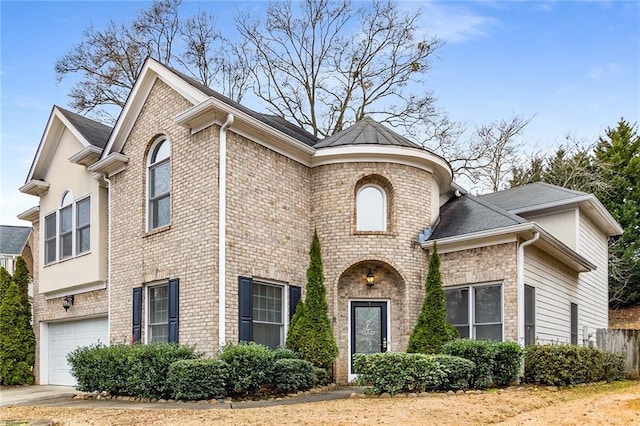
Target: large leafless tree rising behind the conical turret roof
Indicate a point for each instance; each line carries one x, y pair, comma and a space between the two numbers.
326, 64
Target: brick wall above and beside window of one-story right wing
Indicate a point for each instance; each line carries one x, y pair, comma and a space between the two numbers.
491, 264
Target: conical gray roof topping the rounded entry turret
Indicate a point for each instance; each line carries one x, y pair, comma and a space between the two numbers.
366, 132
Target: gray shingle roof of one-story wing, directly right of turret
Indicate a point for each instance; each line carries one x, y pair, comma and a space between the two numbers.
468, 214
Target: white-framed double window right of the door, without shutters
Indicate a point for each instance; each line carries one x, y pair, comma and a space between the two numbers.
476, 311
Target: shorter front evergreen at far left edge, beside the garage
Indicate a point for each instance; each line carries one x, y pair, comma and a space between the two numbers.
16, 334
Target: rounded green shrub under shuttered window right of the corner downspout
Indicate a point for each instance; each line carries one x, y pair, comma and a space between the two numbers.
250, 366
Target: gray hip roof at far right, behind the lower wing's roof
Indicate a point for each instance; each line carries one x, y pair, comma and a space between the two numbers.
531, 195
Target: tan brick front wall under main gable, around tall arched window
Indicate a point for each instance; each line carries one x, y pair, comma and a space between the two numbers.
187, 248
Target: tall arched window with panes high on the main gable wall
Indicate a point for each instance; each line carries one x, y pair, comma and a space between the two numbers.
159, 194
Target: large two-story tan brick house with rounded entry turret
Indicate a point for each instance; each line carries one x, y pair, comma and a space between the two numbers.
201, 213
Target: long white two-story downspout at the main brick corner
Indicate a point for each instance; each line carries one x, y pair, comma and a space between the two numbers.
222, 229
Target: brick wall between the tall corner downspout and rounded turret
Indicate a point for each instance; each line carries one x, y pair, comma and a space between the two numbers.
268, 222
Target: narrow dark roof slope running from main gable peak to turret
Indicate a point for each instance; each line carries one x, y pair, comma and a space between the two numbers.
278, 123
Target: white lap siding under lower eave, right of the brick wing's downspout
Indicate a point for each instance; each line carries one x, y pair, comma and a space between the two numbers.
556, 288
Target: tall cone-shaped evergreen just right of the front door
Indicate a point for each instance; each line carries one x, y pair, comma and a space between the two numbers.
431, 332
